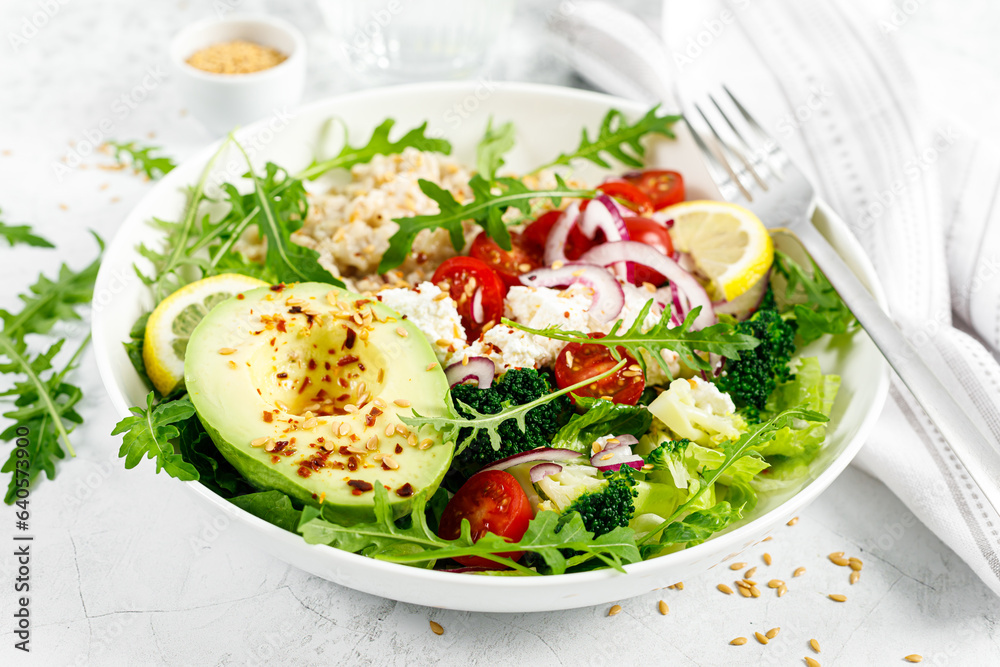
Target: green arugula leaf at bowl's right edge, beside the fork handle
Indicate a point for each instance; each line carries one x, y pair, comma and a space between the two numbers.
823, 311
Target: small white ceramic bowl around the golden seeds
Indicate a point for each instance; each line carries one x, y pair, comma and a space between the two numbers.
224, 101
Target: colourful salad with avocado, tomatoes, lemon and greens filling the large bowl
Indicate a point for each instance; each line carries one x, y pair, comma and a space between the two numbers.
465, 368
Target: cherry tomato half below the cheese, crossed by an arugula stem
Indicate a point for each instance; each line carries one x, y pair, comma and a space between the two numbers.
579, 361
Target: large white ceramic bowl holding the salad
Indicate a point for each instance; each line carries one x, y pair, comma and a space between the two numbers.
548, 120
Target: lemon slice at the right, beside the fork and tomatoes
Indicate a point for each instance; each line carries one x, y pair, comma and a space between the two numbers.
728, 243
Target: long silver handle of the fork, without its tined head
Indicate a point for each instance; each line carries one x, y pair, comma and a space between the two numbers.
979, 455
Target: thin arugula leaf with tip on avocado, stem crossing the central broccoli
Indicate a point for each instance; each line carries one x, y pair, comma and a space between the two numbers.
452, 422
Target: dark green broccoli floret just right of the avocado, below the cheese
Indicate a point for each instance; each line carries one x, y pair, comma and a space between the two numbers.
516, 387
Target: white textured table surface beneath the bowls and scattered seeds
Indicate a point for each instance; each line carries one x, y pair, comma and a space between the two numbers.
128, 569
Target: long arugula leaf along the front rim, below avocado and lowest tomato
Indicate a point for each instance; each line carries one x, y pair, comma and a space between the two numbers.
547, 534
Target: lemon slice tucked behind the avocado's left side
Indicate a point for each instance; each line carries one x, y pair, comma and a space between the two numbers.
170, 325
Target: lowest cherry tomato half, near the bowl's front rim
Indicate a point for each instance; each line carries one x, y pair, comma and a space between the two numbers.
493, 502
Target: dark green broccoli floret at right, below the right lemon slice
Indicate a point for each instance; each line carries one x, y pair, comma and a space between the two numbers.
750, 379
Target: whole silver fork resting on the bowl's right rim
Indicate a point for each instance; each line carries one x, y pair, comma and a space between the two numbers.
752, 170
